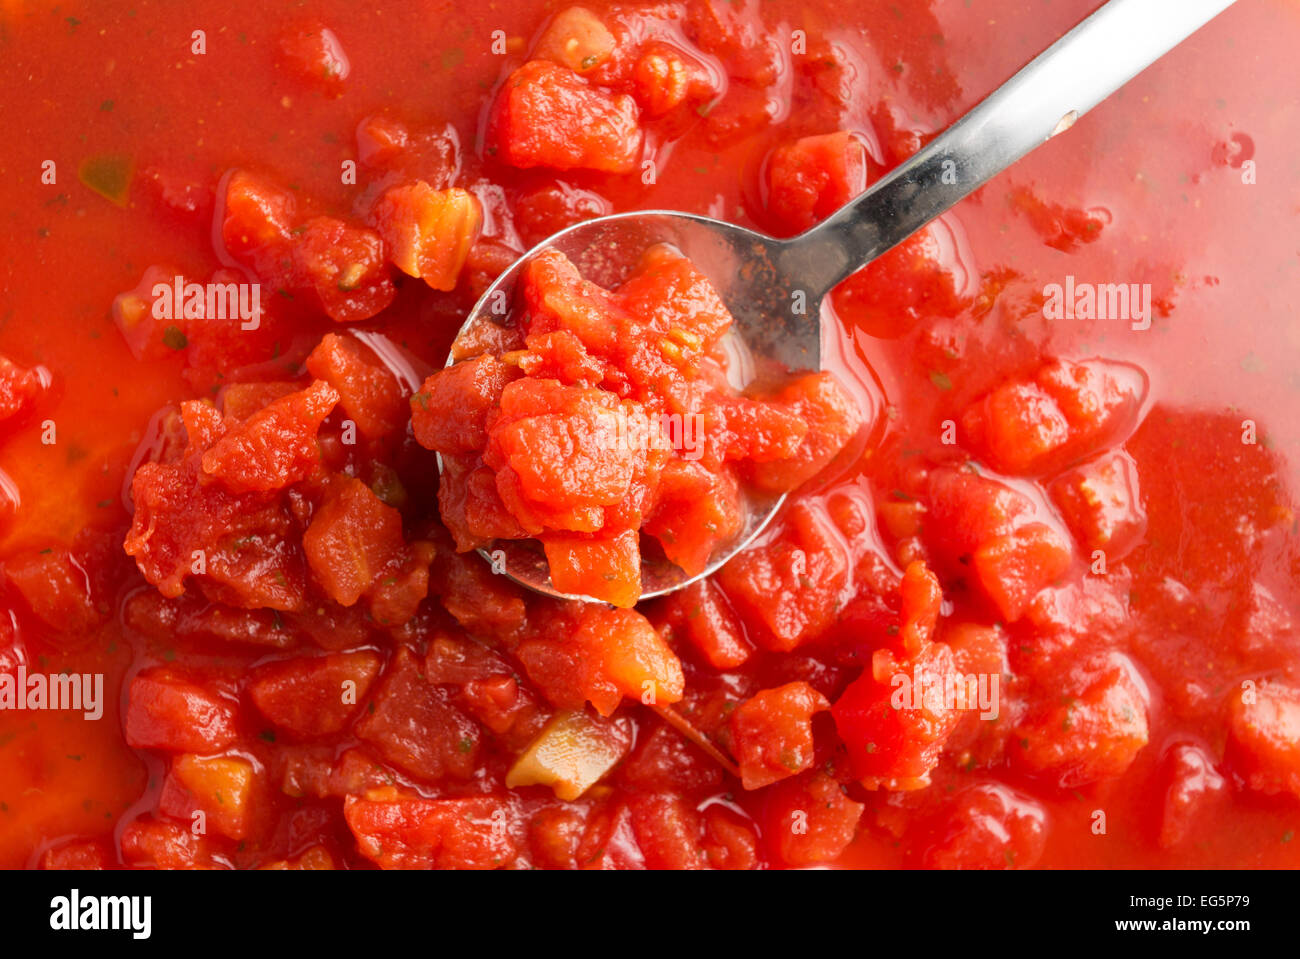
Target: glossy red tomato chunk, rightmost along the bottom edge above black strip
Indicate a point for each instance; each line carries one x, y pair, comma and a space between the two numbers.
990, 827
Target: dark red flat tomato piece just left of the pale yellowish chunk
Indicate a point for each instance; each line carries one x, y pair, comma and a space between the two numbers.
413, 726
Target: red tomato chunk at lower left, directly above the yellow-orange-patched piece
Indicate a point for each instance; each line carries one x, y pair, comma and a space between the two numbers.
167, 711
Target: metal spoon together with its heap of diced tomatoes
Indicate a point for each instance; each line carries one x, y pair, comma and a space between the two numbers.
629, 405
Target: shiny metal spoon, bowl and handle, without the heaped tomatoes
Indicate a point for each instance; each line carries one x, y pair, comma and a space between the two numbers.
774, 288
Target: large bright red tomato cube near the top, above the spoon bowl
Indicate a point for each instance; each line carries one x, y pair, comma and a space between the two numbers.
549, 116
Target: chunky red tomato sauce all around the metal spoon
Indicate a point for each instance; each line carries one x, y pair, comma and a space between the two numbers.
1085, 523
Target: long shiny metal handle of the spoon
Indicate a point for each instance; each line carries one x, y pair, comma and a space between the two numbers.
1063, 84
